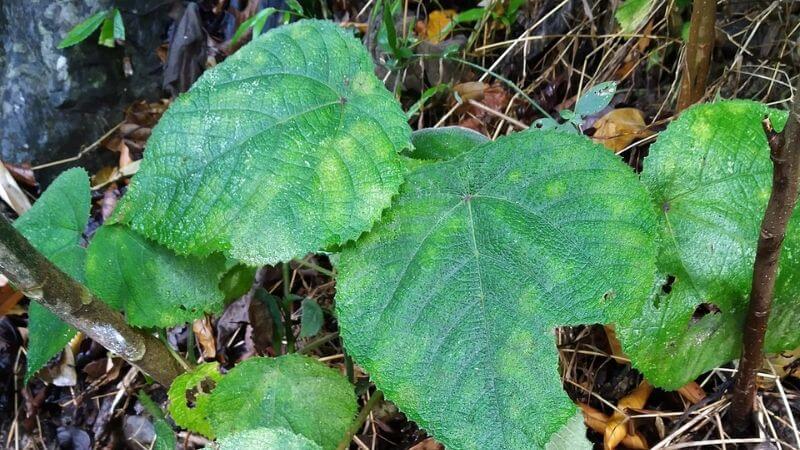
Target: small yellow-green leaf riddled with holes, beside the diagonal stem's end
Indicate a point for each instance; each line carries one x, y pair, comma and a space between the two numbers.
189, 398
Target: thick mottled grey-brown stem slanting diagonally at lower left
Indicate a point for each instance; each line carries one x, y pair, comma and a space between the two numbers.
40, 280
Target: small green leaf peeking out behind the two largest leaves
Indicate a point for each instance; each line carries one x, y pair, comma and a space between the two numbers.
444, 143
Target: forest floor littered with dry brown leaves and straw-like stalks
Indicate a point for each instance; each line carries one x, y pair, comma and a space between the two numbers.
547, 50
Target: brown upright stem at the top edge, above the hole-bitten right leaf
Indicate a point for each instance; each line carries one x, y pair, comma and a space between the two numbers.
697, 62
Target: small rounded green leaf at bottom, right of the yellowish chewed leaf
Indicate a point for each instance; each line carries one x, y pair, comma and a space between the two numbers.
293, 392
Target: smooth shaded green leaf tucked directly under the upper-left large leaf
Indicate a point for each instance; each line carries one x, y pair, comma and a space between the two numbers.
154, 286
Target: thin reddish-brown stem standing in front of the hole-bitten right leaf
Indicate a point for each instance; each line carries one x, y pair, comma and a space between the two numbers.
785, 154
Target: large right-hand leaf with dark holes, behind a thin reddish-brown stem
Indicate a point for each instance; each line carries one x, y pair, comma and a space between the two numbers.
710, 177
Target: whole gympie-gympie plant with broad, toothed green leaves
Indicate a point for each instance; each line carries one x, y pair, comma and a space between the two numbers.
457, 256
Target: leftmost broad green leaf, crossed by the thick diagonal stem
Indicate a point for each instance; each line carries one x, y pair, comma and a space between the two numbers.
54, 226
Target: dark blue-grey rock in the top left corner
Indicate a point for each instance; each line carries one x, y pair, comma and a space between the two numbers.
53, 101
